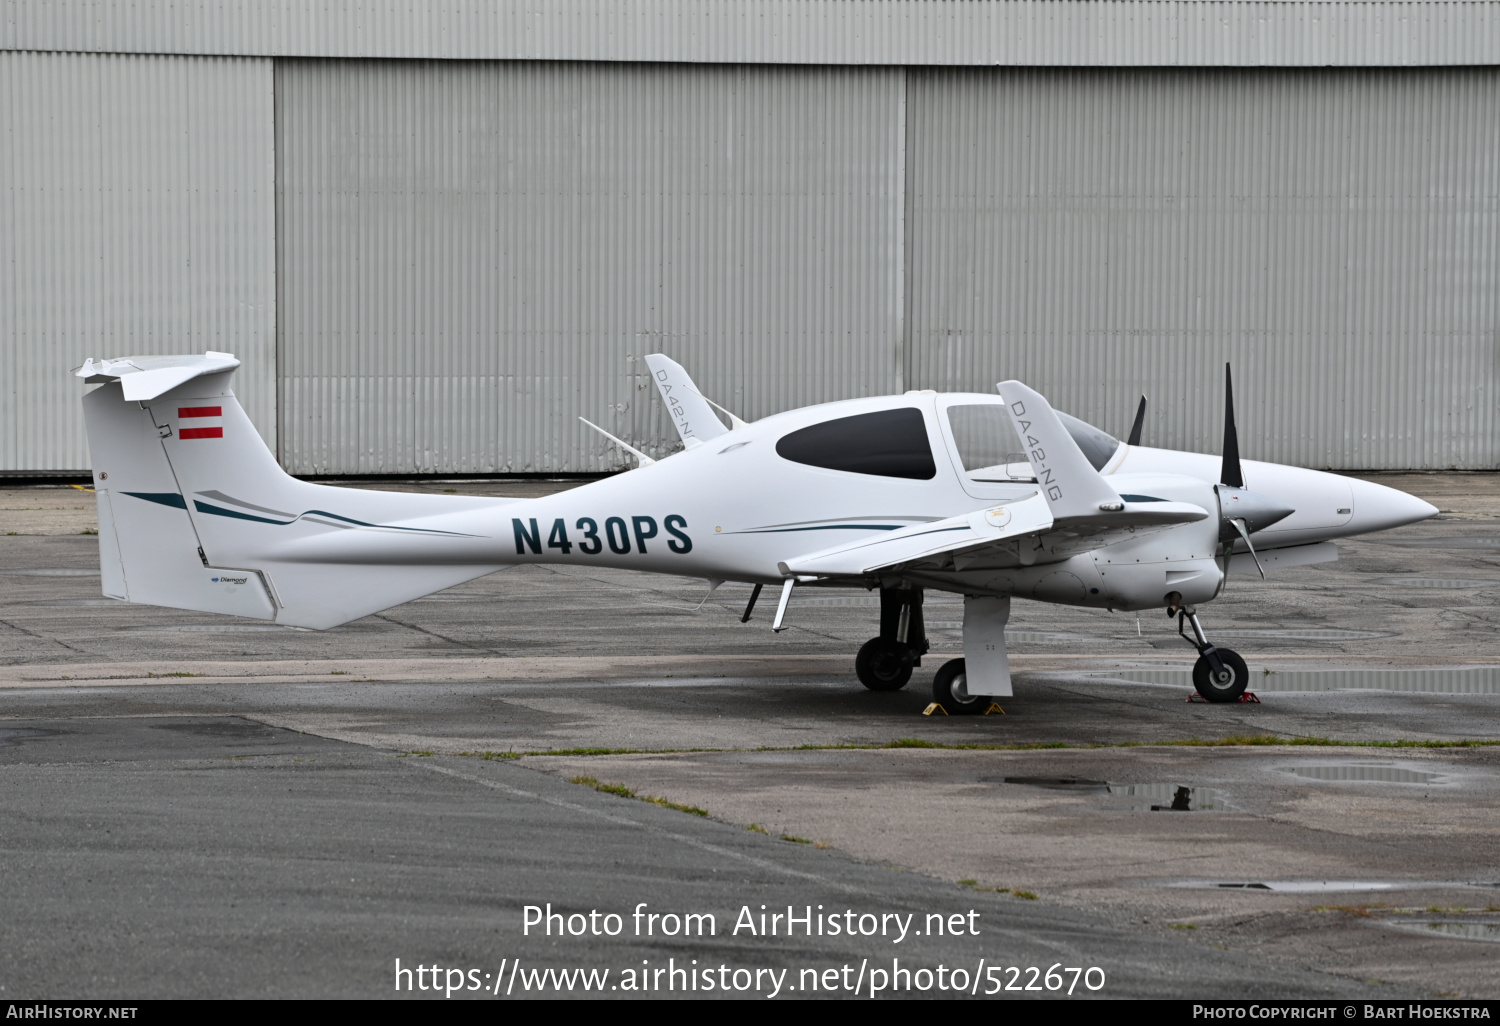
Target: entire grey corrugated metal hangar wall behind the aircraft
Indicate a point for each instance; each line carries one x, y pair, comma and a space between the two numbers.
436, 266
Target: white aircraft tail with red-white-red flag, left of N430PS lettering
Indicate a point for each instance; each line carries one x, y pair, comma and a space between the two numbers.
196, 514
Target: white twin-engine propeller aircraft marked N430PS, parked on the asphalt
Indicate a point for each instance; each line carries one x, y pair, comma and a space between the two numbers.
988, 497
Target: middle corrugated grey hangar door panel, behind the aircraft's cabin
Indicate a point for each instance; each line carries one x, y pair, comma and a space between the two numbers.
475, 254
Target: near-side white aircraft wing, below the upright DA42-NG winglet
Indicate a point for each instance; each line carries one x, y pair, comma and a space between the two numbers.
1016, 535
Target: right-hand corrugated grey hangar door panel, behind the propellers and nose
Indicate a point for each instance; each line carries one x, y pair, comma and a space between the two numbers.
1105, 235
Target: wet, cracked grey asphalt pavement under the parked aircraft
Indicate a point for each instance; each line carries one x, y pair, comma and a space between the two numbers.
197, 806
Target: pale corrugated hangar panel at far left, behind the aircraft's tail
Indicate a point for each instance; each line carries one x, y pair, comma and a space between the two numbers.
136, 220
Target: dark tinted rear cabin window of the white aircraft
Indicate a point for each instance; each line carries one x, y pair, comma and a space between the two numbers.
892, 443
